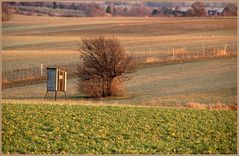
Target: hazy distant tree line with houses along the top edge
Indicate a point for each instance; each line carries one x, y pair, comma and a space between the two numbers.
144, 9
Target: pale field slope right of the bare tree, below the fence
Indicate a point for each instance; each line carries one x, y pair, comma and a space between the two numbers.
203, 82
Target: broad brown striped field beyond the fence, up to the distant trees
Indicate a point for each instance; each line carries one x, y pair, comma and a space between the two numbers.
35, 36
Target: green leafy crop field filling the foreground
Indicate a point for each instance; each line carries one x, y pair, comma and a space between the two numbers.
44, 128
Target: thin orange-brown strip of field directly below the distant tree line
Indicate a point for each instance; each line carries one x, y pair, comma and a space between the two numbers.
84, 20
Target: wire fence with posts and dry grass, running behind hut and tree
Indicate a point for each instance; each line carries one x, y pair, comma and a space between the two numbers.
35, 73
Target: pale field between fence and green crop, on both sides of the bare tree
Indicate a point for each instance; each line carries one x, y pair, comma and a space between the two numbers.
208, 82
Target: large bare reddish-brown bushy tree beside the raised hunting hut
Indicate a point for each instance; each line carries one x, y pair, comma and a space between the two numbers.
104, 64
